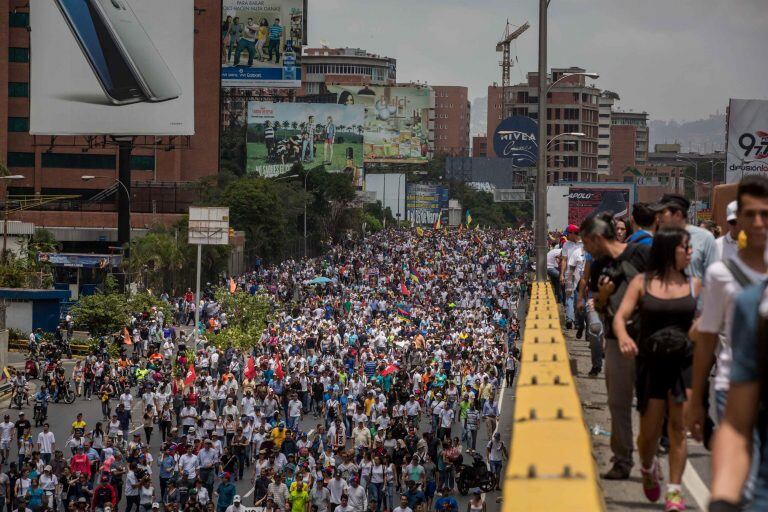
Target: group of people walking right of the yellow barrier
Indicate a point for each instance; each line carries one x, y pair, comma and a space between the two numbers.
674, 316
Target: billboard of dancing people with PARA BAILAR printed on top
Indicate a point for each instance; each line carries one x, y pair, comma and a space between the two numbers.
261, 43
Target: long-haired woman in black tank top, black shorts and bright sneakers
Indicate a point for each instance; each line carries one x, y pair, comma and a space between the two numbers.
666, 298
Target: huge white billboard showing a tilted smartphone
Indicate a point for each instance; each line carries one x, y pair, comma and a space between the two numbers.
112, 67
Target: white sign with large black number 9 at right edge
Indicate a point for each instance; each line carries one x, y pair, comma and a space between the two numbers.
747, 139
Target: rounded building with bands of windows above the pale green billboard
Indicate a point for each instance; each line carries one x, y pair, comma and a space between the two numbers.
321, 66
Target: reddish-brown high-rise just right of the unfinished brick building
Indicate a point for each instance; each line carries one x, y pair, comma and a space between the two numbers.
629, 142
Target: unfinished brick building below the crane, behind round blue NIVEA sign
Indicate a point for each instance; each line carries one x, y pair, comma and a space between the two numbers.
573, 106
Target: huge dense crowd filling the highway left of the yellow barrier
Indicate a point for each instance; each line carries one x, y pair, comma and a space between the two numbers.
381, 362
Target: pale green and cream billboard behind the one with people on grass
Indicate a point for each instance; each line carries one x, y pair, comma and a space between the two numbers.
396, 128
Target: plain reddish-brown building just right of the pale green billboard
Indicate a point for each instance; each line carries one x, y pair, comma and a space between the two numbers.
452, 113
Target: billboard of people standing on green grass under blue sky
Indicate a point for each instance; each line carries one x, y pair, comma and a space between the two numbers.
280, 135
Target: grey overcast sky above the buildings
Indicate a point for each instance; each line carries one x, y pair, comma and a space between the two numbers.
675, 59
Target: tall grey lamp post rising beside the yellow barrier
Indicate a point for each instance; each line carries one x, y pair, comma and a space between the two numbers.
540, 227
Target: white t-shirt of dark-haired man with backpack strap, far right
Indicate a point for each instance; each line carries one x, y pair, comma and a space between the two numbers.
718, 294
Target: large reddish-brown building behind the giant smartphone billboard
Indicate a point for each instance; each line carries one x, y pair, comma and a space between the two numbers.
161, 171
